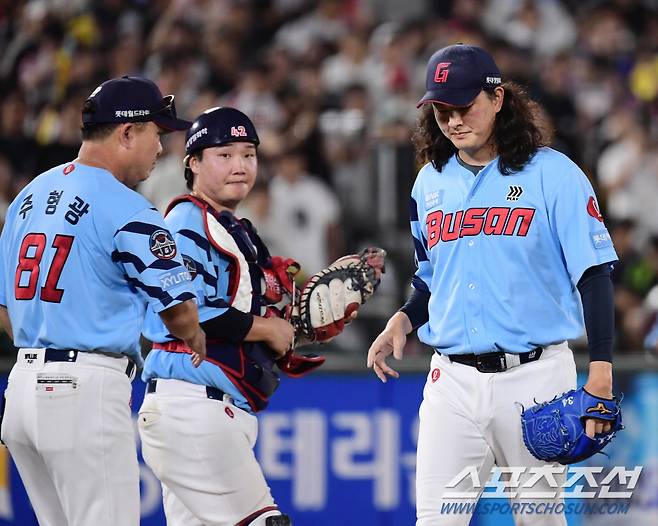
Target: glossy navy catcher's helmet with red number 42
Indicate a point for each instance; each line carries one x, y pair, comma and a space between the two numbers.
217, 126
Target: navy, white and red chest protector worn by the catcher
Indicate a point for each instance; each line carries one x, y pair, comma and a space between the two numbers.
247, 364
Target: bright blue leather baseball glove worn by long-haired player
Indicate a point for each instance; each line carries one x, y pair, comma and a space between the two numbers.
554, 431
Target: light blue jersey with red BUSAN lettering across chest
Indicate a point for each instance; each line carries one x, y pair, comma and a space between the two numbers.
501, 255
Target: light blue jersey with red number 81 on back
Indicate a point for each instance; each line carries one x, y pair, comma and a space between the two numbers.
81, 257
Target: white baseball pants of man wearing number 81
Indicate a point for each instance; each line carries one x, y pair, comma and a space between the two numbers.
69, 429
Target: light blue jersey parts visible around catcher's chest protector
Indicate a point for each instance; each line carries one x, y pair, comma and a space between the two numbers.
210, 278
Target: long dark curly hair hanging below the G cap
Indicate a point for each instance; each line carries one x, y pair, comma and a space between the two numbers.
520, 129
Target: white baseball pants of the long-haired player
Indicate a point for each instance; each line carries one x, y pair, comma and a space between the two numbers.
469, 418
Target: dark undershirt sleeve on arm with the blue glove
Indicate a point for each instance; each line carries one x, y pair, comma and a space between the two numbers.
597, 294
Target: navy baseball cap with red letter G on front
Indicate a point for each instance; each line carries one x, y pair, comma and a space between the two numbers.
457, 74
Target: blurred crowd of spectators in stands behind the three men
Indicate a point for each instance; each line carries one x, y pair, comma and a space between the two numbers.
331, 86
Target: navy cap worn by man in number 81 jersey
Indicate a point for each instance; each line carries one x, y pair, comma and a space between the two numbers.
132, 99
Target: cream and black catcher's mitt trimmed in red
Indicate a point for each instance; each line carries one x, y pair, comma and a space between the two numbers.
332, 296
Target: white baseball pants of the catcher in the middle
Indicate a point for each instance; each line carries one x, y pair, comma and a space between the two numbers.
202, 452
